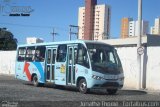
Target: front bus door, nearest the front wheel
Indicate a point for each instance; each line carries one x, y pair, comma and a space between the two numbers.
72, 54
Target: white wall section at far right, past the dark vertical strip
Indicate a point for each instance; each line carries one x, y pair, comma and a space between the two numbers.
153, 68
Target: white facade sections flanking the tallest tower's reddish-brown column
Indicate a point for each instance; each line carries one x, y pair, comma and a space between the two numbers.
102, 16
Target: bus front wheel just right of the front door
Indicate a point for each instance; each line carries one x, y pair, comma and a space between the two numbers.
82, 86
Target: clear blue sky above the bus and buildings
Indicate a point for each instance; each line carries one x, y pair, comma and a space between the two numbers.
59, 14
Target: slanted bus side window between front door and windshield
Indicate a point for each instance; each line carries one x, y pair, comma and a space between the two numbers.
82, 56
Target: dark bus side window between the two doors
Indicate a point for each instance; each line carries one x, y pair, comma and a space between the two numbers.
61, 55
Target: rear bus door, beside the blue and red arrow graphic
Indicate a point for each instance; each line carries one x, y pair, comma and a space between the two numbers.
50, 64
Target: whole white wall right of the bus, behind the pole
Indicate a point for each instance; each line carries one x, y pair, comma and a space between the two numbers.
150, 67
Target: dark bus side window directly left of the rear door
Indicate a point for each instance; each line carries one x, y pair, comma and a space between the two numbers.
40, 54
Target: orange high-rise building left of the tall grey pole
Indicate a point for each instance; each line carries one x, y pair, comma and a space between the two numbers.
125, 27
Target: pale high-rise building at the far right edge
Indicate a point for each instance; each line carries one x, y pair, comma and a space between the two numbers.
156, 28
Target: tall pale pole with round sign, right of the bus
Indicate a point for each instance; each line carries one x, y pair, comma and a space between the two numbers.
139, 40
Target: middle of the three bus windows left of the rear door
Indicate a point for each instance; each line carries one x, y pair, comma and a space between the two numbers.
30, 54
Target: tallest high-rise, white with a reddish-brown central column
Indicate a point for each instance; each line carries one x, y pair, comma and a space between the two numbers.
94, 21
